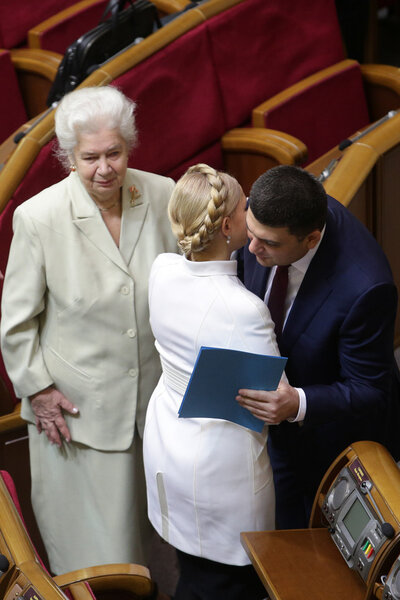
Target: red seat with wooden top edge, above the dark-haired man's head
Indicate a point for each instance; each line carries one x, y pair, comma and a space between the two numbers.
322, 110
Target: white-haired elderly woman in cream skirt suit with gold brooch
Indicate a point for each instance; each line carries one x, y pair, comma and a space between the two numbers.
76, 338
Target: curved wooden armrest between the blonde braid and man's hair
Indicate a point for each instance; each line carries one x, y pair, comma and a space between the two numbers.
248, 152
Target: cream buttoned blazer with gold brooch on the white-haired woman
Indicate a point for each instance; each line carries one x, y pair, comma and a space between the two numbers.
74, 306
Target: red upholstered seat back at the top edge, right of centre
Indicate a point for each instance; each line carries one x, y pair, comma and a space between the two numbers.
260, 47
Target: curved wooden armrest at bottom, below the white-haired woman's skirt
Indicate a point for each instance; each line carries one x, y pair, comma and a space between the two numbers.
129, 577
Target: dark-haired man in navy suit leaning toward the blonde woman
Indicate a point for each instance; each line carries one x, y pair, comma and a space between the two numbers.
339, 315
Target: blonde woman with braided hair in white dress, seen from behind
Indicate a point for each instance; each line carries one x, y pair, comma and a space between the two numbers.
207, 479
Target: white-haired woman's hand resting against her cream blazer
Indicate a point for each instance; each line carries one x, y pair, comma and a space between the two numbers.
48, 406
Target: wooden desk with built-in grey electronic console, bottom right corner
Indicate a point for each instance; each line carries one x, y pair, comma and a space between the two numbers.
352, 547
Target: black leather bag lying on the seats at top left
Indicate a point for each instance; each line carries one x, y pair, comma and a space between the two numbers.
123, 28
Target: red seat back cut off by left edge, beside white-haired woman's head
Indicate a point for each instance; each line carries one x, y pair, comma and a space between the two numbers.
12, 108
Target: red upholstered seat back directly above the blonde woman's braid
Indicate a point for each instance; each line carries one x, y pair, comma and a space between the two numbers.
179, 114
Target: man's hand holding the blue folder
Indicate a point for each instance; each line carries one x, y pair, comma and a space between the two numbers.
271, 407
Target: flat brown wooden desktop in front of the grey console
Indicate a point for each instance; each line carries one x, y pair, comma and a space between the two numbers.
302, 564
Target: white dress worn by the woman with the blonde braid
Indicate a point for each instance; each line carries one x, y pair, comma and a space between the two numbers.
207, 479
